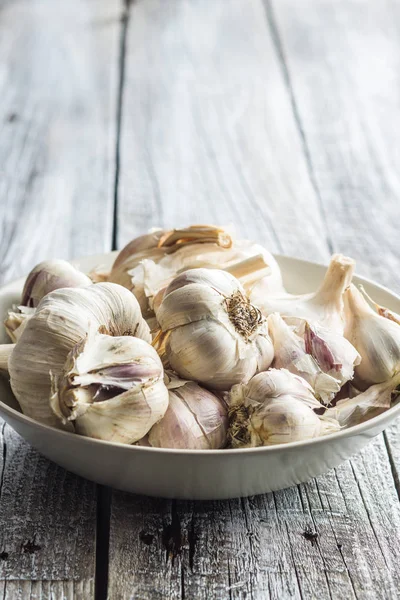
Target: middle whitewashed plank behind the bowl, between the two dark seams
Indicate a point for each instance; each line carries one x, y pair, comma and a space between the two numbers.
207, 129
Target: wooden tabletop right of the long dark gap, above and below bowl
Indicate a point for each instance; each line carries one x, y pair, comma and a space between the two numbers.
255, 113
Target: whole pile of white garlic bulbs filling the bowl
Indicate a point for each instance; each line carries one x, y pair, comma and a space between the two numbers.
192, 342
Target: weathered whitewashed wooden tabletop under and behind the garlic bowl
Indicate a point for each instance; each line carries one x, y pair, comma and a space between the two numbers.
280, 116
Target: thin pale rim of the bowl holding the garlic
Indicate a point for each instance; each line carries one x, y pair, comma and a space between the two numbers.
388, 415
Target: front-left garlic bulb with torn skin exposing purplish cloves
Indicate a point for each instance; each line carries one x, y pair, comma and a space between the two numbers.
111, 388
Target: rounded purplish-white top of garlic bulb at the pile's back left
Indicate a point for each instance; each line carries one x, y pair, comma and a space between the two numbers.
48, 276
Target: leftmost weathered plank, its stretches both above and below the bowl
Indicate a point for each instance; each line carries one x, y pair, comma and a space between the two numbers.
58, 84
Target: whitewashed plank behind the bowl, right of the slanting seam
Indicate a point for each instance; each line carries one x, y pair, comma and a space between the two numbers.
346, 86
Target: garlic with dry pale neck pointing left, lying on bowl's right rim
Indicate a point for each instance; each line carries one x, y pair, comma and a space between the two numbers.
362, 407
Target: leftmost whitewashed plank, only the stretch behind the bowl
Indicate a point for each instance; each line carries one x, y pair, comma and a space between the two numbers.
58, 86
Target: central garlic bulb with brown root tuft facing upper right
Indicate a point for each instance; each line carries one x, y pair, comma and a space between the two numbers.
212, 333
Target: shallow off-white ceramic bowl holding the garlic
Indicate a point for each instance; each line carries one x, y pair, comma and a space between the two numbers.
196, 474
